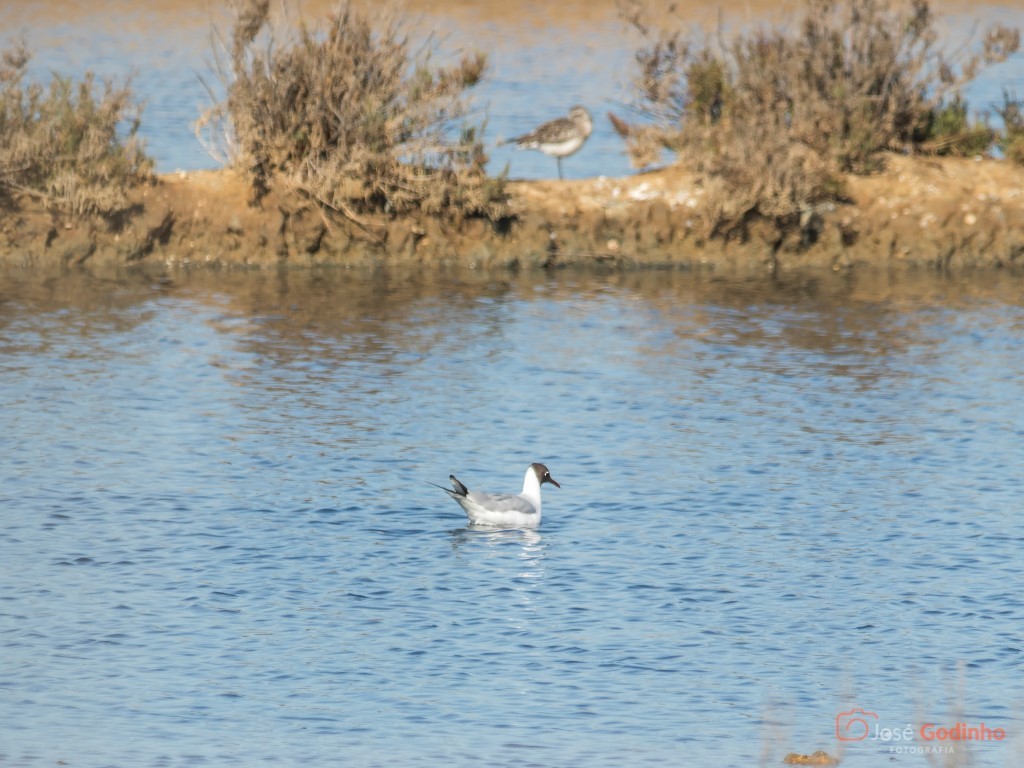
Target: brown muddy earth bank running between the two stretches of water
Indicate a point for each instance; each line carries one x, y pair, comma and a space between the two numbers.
938, 214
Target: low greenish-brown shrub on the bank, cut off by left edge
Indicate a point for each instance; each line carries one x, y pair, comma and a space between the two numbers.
66, 145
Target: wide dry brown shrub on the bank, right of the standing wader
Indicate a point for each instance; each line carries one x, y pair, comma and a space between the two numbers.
772, 118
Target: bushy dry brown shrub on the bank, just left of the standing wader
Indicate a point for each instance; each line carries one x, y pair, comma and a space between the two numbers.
346, 115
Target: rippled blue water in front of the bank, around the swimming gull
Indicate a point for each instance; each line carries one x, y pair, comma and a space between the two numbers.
780, 502
